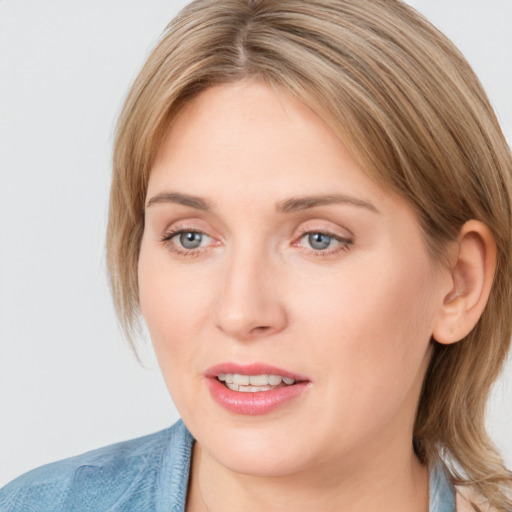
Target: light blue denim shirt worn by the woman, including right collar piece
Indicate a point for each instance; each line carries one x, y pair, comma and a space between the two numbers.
143, 475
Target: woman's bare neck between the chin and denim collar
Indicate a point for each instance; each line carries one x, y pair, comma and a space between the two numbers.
393, 481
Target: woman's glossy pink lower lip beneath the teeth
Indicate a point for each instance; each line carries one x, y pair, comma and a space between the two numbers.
252, 404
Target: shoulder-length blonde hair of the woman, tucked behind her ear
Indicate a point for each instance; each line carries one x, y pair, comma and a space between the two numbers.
411, 111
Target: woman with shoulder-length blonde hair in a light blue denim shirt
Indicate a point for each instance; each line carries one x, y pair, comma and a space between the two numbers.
311, 209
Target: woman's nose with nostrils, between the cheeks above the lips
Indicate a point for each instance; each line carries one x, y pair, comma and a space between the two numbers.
250, 305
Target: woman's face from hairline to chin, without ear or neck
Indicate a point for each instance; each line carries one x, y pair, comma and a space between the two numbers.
268, 252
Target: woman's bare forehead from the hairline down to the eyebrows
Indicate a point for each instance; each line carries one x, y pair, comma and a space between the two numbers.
248, 133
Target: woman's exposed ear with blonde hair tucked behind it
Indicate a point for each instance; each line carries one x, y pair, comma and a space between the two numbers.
472, 268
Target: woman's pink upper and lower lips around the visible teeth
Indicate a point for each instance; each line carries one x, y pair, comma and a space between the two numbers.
260, 402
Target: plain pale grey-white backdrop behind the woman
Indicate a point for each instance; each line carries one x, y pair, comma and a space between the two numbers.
68, 381
